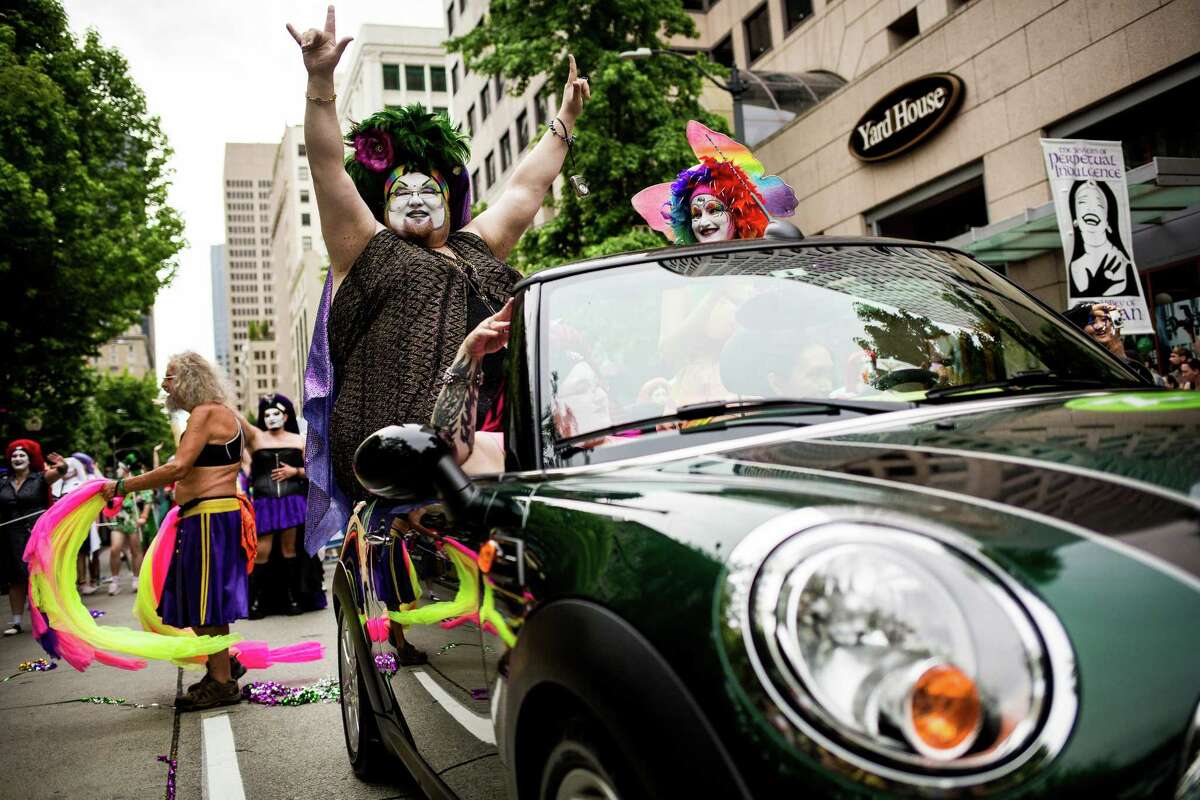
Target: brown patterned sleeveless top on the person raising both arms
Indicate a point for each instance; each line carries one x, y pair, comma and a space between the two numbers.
395, 324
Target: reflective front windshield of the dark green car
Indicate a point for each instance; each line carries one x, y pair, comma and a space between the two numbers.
839, 323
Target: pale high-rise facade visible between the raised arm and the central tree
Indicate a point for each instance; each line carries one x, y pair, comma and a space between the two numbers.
502, 127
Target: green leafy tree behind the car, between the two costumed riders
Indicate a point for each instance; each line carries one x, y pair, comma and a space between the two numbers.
633, 131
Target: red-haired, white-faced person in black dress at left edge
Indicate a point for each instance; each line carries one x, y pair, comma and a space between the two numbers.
25, 496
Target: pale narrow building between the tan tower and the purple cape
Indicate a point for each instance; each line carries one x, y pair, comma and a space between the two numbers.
299, 258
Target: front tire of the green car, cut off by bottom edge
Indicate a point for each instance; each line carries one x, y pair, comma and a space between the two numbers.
585, 766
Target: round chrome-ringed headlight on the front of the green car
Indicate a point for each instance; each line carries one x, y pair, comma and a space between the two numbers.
769, 611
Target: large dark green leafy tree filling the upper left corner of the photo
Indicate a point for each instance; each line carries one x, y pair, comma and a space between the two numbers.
87, 238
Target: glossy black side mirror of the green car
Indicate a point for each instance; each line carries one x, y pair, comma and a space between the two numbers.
411, 464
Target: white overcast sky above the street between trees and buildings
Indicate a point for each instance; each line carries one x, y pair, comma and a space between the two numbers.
218, 71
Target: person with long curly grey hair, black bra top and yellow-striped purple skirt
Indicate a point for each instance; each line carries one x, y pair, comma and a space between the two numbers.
206, 585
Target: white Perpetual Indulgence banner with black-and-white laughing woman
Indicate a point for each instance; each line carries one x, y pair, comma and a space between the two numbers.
1091, 202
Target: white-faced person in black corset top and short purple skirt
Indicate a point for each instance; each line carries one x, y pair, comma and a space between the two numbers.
281, 490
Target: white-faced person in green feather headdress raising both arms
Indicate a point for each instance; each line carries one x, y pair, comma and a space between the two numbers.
411, 272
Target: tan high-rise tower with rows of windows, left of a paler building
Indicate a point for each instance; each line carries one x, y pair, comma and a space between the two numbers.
254, 288
